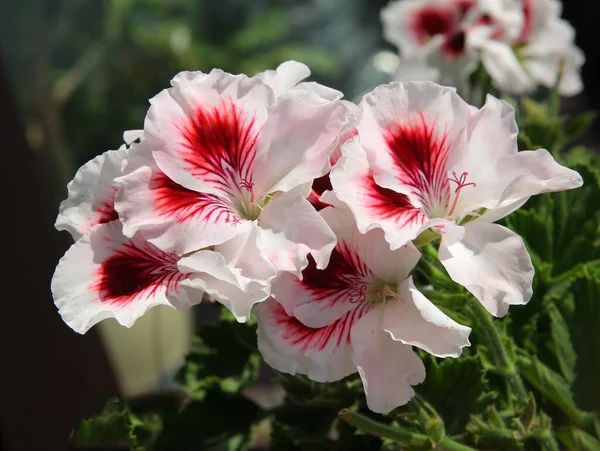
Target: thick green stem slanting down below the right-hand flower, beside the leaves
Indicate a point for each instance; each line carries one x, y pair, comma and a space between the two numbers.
498, 351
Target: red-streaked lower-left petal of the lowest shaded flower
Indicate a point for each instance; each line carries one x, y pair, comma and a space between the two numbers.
323, 354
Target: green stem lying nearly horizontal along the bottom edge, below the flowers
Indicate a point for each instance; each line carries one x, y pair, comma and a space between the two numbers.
397, 433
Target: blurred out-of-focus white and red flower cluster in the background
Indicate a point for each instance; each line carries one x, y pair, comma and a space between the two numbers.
521, 44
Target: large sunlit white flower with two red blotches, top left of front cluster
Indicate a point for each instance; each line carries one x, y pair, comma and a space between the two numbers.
229, 156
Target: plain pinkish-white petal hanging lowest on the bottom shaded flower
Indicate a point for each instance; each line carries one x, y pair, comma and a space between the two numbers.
388, 368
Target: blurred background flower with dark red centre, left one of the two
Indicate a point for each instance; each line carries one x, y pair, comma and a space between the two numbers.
432, 36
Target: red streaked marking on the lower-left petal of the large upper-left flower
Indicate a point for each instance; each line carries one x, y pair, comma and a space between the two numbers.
182, 204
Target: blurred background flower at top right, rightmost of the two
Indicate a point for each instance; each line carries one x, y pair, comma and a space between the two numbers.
544, 43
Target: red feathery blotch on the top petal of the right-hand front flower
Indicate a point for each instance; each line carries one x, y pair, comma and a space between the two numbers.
420, 158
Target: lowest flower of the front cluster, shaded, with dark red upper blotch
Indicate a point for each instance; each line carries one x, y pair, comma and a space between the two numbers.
361, 313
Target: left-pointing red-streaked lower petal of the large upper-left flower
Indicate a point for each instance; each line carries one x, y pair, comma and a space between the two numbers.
172, 217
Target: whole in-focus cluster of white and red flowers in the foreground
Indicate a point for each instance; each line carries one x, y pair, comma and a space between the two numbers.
272, 191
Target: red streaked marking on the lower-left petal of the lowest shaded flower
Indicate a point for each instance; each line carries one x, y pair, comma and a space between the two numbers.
306, 338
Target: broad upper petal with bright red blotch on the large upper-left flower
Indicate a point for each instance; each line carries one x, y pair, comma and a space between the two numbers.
203, 131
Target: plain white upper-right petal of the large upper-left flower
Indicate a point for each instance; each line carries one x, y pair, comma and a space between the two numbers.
297, 140
